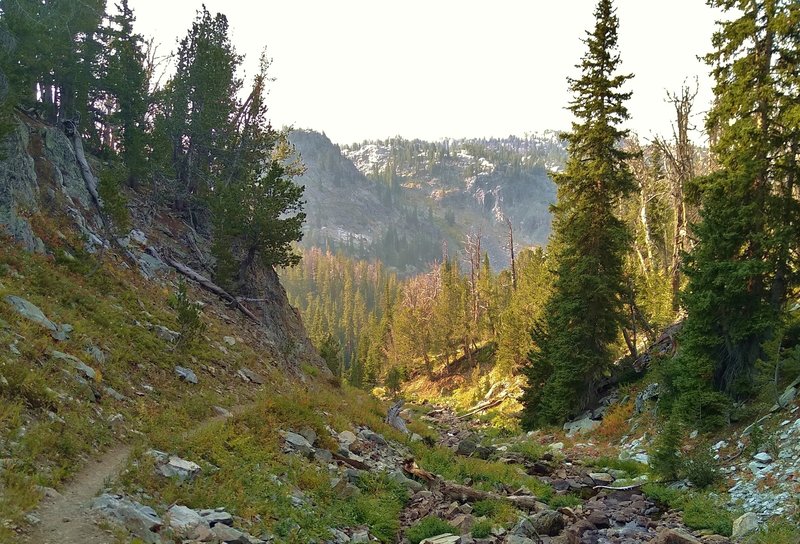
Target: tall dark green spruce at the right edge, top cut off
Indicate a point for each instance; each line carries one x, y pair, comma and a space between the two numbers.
745, 262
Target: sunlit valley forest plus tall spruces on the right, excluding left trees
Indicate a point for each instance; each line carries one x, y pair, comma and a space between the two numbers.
646, 233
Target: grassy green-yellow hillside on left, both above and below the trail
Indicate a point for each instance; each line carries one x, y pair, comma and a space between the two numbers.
50, 424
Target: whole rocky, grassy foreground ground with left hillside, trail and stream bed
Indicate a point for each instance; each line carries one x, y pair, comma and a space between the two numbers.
122, 421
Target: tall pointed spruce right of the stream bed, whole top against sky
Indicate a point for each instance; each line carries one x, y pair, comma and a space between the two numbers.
584, 314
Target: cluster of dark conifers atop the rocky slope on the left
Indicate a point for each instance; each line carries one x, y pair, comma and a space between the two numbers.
198, 142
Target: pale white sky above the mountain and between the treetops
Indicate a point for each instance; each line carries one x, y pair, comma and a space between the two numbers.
430, 69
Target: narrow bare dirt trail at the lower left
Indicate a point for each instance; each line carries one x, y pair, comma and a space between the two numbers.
66, 519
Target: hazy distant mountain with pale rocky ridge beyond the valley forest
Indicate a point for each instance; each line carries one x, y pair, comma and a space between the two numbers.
368, 195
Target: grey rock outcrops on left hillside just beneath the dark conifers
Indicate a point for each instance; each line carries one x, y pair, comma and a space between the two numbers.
39, 177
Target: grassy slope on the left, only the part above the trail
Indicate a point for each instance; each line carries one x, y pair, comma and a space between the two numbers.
49, 422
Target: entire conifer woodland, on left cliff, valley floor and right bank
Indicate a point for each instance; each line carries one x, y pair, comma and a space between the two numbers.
645, 233
